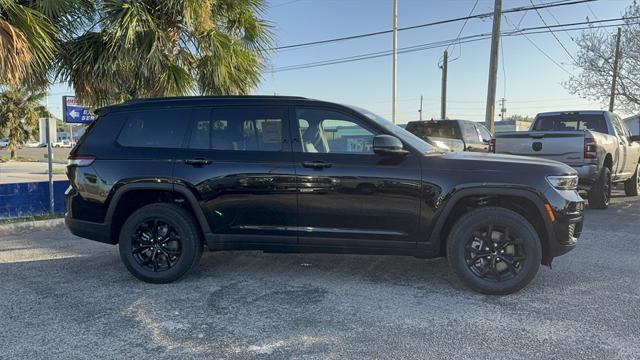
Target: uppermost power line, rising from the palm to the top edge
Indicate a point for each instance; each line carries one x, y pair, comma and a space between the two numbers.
440, 22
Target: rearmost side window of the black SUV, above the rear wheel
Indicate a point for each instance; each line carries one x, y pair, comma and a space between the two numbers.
162, 128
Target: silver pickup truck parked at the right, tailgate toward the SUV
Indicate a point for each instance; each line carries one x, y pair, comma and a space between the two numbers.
595, 143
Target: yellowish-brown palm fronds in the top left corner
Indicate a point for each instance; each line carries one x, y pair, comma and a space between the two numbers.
30, 35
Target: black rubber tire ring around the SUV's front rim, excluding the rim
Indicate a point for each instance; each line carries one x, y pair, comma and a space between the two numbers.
462, 232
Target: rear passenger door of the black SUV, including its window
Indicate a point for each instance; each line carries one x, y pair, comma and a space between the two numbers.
238, 161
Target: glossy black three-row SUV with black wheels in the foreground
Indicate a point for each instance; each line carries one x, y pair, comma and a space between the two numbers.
165, 177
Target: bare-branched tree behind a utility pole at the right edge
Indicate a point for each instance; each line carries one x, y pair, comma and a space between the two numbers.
595, 60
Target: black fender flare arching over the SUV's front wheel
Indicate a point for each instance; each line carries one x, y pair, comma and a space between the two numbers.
435, 237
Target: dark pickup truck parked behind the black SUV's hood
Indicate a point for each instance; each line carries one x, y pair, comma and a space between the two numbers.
453, 135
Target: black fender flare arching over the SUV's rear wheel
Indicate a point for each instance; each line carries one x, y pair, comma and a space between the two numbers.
174, 188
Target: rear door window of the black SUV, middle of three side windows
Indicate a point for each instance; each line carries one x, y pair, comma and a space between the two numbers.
238, 129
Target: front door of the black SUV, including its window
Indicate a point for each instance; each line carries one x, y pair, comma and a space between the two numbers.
348, 195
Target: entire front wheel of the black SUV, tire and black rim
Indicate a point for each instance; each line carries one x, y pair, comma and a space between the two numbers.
522, 249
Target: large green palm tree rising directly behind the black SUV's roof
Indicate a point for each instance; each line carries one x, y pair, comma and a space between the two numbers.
150, 48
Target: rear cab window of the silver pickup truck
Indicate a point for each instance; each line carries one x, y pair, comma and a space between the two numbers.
568, 122
